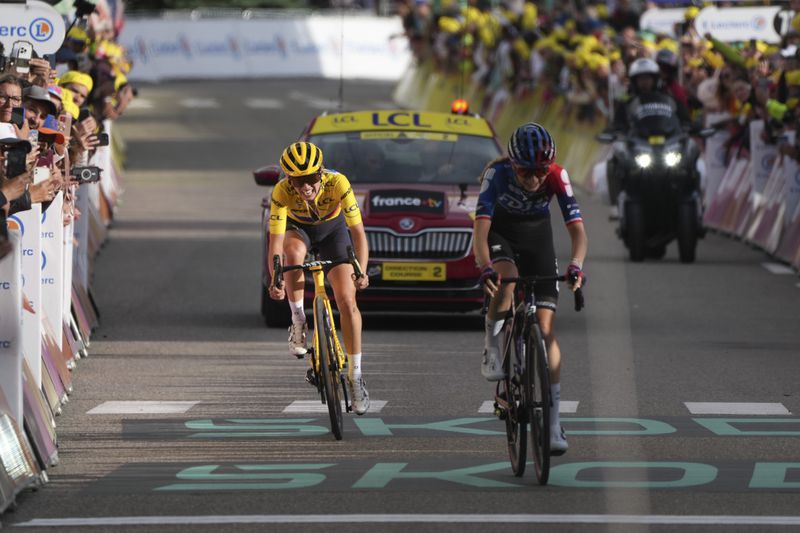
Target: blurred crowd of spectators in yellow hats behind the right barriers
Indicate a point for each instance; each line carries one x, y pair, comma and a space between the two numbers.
580, 51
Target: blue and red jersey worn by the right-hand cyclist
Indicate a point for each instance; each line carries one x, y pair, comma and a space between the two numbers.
499, 189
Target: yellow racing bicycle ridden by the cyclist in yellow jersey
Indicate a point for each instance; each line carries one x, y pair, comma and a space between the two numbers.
328, 359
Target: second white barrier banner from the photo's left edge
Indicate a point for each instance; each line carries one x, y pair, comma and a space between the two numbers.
28, 223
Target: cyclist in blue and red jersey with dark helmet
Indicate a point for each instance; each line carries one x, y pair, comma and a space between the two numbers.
512, 237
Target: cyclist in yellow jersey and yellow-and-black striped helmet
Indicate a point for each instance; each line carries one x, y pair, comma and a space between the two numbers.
314, 207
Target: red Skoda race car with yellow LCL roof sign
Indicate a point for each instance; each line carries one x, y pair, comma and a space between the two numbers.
415, 175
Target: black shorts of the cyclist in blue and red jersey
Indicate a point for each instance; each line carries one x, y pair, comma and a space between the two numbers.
529, 245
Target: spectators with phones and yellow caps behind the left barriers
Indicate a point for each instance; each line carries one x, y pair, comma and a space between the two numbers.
53, 110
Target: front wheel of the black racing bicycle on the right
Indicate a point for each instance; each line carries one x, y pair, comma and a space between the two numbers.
539, 407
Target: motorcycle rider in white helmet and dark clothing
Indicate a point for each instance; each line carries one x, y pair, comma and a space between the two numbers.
645, 100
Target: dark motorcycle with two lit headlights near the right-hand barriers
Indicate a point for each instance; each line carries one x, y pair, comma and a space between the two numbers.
659, 198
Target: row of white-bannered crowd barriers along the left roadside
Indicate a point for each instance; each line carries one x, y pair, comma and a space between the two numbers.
51, 263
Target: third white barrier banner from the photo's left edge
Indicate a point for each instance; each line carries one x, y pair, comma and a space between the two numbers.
52, 264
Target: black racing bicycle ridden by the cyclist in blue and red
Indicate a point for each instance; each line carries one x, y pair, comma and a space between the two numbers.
522, 397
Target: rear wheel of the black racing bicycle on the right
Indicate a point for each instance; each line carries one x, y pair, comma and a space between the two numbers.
517, 412
